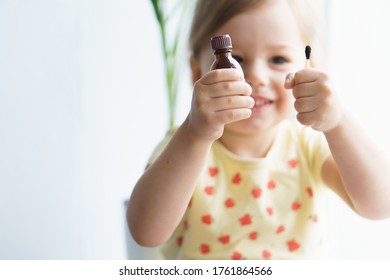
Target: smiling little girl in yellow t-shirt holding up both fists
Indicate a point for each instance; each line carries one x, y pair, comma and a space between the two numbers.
238, 179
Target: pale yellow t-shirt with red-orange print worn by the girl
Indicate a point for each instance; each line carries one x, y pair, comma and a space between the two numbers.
262, 208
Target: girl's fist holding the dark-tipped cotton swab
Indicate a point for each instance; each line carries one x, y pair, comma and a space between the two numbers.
315, 100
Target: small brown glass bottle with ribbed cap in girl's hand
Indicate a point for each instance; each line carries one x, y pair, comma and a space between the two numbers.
222, 48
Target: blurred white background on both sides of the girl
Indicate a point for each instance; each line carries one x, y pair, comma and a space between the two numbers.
83, 104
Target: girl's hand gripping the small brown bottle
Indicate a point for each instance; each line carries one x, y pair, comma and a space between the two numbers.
219, 97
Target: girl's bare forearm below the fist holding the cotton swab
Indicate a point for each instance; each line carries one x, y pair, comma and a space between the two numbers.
361, 166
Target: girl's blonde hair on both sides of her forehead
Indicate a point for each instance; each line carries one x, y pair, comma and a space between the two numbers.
209, 15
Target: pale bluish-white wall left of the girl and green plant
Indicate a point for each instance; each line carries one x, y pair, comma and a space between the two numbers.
82, 106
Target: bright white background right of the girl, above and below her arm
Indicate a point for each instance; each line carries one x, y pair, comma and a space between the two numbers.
359, 59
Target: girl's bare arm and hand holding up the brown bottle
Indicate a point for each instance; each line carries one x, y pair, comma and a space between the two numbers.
162, 194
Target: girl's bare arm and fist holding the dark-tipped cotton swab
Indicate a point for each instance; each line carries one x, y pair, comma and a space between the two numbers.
357, 171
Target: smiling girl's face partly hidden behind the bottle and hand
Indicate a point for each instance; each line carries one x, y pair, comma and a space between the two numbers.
267, 42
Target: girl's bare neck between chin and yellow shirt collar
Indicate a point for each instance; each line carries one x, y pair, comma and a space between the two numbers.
253, 146
